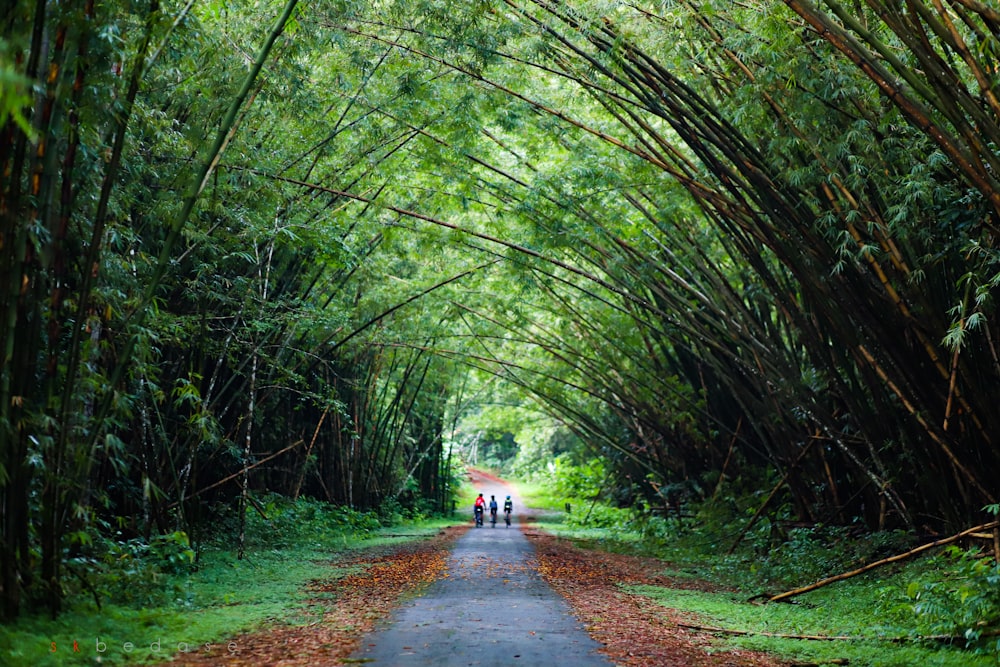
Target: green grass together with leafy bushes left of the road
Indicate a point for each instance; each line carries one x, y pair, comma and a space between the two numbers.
141, 601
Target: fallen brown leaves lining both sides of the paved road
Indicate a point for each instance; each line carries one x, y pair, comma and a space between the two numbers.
634, 630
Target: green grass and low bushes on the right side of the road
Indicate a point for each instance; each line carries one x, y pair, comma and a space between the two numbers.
938, 609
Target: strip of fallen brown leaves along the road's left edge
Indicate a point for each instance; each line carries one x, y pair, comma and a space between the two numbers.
359, 601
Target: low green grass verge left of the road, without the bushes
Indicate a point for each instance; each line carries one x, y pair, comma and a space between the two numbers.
212, 605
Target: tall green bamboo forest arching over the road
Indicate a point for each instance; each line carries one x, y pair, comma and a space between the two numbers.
712, 268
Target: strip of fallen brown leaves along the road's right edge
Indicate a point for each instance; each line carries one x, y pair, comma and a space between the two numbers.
636, 631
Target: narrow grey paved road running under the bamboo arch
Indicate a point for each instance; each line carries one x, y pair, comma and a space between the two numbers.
492, 610
